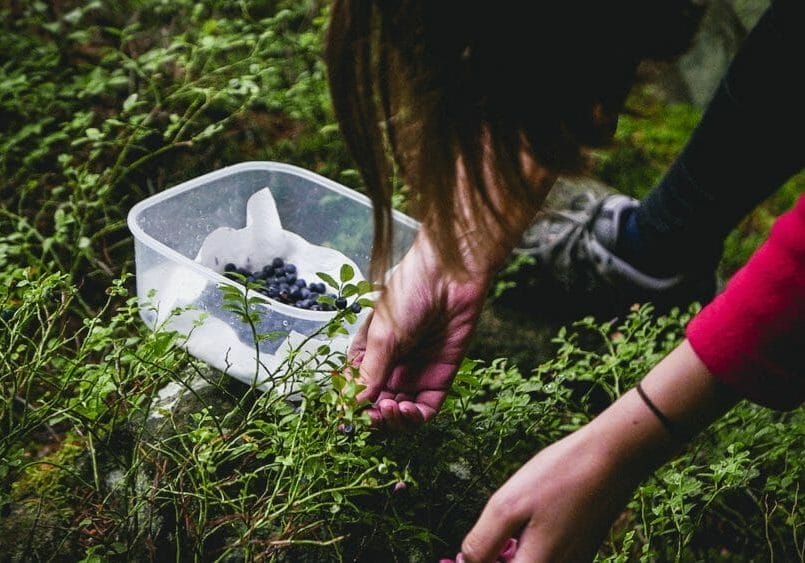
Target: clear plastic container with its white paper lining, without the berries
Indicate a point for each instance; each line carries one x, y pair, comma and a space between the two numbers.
248, 214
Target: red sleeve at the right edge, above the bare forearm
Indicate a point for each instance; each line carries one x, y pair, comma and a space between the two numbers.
752, 336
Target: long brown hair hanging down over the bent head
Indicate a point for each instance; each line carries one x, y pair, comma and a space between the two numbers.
419, 85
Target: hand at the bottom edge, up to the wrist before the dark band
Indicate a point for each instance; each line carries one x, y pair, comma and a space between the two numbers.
560, 504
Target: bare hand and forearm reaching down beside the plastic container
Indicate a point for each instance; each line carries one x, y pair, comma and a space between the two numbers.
409, 350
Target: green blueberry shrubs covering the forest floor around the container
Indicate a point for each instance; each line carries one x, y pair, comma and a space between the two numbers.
116, 445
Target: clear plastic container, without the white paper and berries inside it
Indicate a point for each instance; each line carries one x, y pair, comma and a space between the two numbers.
178, 293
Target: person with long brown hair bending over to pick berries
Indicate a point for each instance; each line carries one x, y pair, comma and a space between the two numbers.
479, 107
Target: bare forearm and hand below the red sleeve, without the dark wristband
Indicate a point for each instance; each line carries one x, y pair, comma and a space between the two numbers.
562, 503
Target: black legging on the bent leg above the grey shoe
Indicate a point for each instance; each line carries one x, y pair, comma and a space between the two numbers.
750, 140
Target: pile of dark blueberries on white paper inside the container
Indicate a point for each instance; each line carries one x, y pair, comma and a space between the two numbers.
279, 281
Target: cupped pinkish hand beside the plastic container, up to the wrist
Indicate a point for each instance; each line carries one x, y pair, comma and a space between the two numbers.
409, 350
